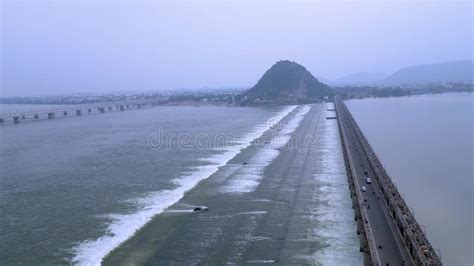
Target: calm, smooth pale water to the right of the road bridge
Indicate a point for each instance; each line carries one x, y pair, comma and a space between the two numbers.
426, 145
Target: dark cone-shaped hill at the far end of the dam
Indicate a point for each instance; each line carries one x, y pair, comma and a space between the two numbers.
286, 82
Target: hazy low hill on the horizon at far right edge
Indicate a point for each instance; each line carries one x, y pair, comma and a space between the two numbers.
455, 71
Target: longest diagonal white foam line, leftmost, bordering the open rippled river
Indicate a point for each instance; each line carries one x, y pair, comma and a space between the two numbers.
123, 226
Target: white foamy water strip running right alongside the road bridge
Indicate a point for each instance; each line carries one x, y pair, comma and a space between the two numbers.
336, 227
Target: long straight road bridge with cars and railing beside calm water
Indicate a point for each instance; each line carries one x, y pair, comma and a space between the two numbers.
389, 232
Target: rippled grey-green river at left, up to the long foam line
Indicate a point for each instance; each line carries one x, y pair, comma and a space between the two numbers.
69, 181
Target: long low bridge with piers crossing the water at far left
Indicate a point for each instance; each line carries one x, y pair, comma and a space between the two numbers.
77, 110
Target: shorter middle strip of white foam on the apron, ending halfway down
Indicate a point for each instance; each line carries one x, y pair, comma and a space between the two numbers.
249, 176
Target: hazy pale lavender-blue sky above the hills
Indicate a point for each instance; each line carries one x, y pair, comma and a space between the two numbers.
59, 47
